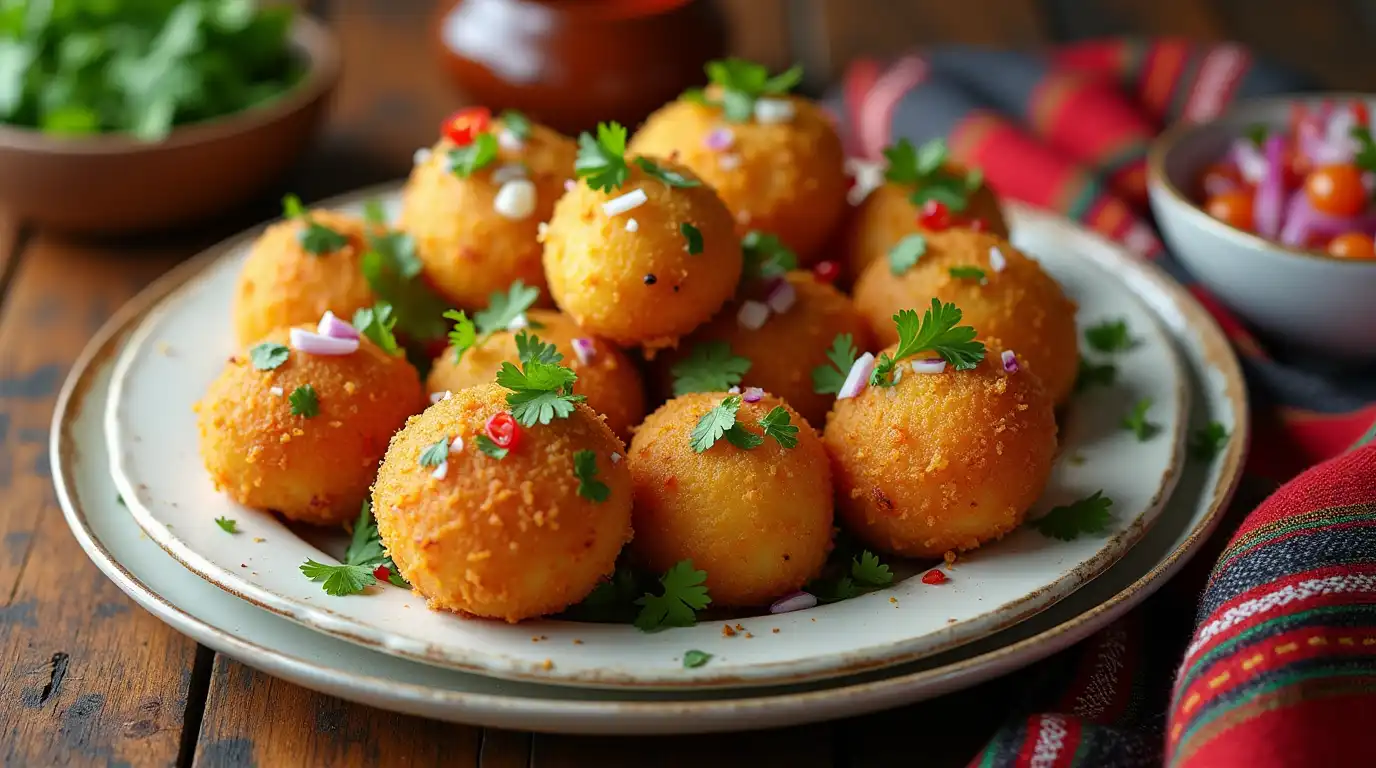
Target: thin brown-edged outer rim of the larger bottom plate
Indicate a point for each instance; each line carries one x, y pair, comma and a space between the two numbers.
1209, 339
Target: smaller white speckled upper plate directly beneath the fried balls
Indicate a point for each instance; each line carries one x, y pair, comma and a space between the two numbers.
181, 346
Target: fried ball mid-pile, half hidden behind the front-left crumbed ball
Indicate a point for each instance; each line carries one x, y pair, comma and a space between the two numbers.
609, 379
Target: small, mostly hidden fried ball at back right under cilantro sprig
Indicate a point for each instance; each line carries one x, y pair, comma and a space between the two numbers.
888, 217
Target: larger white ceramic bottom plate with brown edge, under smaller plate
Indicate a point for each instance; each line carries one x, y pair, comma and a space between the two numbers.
288, 650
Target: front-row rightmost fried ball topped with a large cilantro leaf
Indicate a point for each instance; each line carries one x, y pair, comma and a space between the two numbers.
942, 462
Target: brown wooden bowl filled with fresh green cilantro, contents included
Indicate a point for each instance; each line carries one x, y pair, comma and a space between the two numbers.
202, 103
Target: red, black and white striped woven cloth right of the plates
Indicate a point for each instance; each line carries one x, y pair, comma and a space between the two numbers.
1282, 665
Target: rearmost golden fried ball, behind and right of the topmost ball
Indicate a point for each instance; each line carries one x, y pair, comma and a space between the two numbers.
785, 178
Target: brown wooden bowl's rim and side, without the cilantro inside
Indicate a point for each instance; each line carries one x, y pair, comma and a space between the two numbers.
115, 184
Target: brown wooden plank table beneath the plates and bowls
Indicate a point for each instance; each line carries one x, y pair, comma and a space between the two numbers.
90, 679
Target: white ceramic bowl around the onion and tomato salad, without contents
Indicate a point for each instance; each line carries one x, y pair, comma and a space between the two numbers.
1302, 298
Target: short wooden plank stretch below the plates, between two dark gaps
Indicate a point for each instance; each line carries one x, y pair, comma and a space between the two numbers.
252, 719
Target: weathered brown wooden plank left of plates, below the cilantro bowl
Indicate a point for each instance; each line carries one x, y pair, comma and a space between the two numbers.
89, 678
